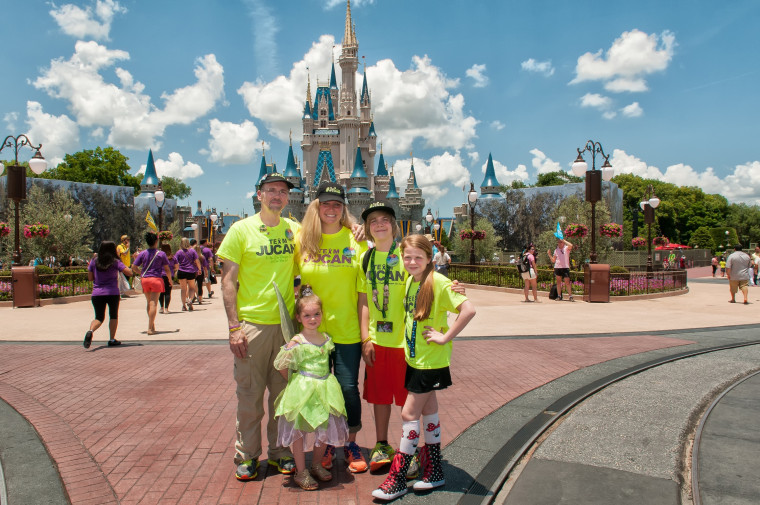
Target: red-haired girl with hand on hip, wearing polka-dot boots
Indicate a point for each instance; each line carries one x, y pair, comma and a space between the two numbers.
428, 339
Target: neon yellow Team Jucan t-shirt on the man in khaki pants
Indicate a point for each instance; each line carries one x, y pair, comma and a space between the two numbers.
264, 254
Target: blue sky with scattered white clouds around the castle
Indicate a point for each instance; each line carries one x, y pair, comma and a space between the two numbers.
668, 88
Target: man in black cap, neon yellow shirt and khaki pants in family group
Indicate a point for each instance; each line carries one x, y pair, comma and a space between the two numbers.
256, 251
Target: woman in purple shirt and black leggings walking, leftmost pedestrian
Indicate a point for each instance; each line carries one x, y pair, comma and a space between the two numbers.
103, 272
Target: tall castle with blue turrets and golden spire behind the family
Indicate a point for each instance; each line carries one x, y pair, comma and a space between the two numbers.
339, 145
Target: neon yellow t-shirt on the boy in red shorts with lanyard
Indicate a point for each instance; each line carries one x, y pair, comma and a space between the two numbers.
391, 326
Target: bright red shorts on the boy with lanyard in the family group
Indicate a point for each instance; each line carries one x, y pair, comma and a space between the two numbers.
384, 381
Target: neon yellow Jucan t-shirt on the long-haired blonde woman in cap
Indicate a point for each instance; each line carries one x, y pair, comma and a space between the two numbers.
335, 277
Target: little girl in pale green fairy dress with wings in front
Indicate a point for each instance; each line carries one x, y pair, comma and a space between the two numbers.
312, 401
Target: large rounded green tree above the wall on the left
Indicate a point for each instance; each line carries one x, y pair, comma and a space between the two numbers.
101, 166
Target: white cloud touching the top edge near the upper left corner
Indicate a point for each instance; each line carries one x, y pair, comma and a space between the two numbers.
84, 23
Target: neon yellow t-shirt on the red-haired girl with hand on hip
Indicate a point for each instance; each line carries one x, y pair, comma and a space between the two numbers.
430, 356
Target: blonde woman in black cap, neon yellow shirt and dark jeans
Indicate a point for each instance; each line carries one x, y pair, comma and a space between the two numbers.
327, 255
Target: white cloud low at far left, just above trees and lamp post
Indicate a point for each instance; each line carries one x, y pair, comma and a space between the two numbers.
58, 135
